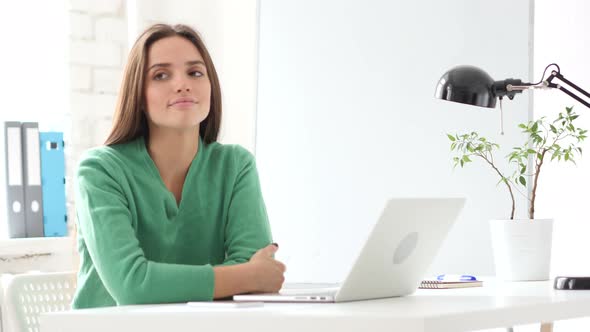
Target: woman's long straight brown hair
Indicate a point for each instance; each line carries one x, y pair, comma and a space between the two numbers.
129, 121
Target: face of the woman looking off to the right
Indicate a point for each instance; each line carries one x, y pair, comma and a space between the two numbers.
177, 87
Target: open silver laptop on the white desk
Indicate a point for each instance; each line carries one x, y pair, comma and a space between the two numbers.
392, 262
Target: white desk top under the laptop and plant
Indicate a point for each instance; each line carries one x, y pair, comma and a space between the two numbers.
494, 305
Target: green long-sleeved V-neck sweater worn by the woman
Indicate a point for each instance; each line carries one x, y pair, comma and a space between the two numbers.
137, 245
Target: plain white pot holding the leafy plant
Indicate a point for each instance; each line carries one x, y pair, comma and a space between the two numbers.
522, 248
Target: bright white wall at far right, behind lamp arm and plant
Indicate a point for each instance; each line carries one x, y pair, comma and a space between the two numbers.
561, 37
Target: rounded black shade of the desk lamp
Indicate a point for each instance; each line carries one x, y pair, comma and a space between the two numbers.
467, 85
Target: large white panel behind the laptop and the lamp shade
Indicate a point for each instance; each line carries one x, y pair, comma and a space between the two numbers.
347, 118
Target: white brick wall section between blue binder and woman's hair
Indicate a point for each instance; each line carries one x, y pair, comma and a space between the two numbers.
98, 48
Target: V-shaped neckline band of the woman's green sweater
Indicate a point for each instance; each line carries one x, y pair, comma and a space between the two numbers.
173, 208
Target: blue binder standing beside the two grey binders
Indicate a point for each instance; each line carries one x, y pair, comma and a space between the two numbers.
53, 183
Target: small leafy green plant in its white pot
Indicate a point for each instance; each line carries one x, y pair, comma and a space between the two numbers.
522, 248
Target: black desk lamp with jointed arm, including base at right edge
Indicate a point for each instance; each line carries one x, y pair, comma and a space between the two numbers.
473, 86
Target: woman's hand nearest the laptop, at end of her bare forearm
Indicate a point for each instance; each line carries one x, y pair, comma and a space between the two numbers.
268, 273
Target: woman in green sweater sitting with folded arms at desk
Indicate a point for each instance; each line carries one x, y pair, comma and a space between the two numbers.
165, 213
